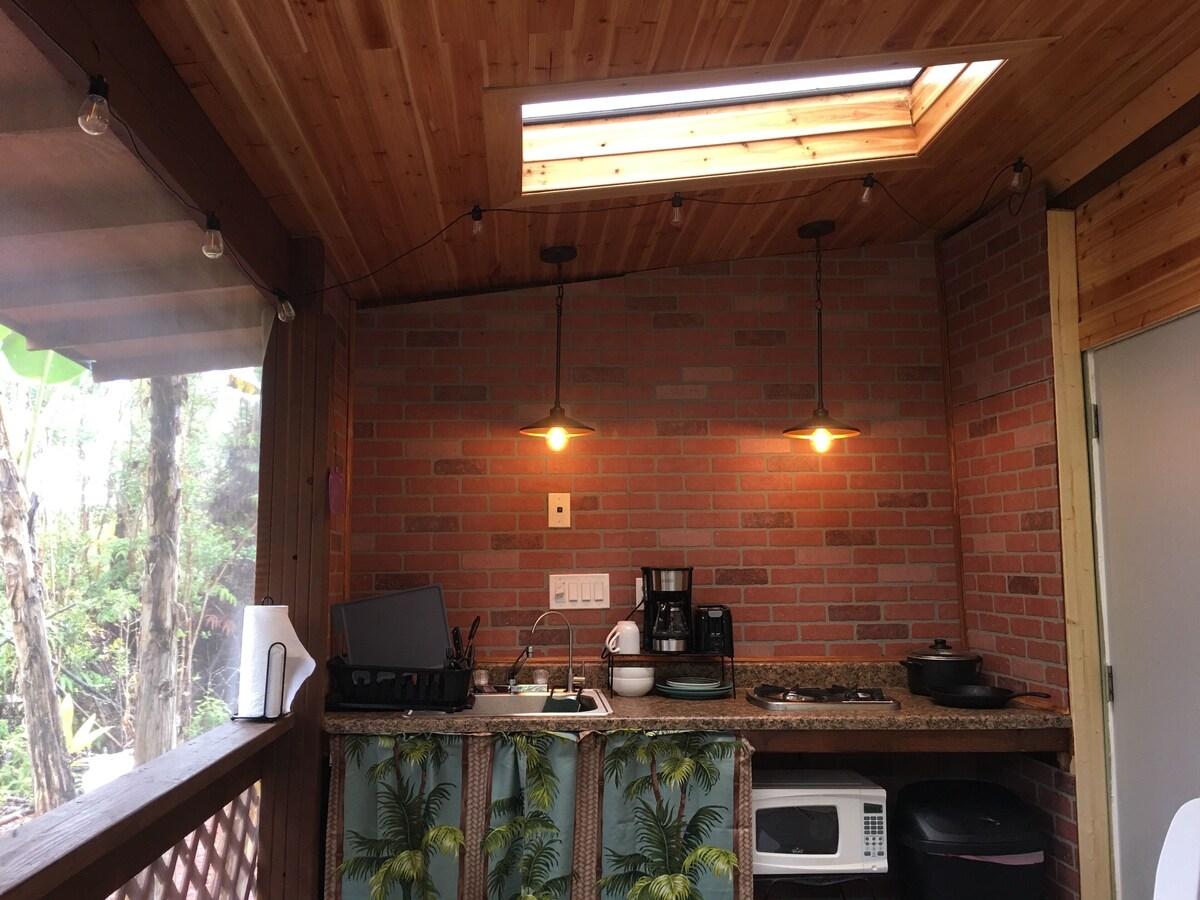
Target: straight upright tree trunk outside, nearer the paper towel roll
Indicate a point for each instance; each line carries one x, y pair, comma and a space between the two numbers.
155, 719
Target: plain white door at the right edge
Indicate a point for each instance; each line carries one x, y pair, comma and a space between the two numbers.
1148, 483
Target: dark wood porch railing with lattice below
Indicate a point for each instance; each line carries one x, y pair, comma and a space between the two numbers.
181, 813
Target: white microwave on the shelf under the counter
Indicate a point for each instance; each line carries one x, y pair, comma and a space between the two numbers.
819, 823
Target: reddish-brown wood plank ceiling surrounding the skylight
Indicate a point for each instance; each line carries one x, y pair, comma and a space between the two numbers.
362, 122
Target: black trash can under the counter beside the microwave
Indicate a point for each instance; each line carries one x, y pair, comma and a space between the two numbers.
968, 839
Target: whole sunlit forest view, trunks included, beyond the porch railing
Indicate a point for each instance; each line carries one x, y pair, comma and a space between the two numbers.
91, 464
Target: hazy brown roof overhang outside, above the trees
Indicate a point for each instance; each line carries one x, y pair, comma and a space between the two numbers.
98, 259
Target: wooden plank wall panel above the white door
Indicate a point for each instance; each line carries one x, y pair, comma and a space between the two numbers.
1139, 248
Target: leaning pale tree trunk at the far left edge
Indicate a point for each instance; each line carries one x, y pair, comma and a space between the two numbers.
23, 585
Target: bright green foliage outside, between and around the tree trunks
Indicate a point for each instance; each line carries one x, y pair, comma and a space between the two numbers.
89, 446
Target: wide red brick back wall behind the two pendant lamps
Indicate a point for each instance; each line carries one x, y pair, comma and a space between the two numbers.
689, 379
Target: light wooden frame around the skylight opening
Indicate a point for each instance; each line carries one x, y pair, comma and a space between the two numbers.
722, 146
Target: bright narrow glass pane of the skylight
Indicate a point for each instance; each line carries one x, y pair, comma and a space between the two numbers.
716, 95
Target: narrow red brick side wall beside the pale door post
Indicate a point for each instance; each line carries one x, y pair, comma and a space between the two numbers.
1004, 433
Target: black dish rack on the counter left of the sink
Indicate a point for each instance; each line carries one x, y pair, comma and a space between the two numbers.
387, 688
